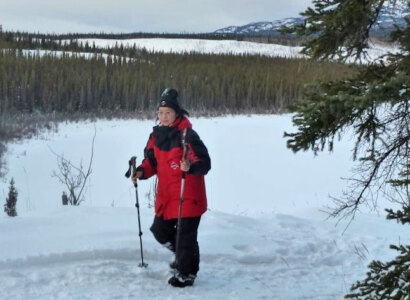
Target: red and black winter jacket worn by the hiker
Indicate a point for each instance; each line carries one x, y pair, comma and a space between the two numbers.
162, 156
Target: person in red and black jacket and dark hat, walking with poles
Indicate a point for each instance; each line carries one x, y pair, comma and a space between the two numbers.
164, 156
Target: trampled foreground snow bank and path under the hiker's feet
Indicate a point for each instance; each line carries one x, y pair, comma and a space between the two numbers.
241, 258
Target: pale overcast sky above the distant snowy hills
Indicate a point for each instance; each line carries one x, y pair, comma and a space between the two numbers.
172, 16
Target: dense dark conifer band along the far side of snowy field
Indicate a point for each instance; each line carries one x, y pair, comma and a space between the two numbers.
31, 82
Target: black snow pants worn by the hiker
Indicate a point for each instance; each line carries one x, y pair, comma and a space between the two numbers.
165, 232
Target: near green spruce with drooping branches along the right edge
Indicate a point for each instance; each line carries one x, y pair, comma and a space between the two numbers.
374, 105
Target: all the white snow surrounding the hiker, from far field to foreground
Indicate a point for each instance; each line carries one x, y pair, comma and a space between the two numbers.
264, 236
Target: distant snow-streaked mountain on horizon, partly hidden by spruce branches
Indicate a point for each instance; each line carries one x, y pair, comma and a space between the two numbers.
389, 15
